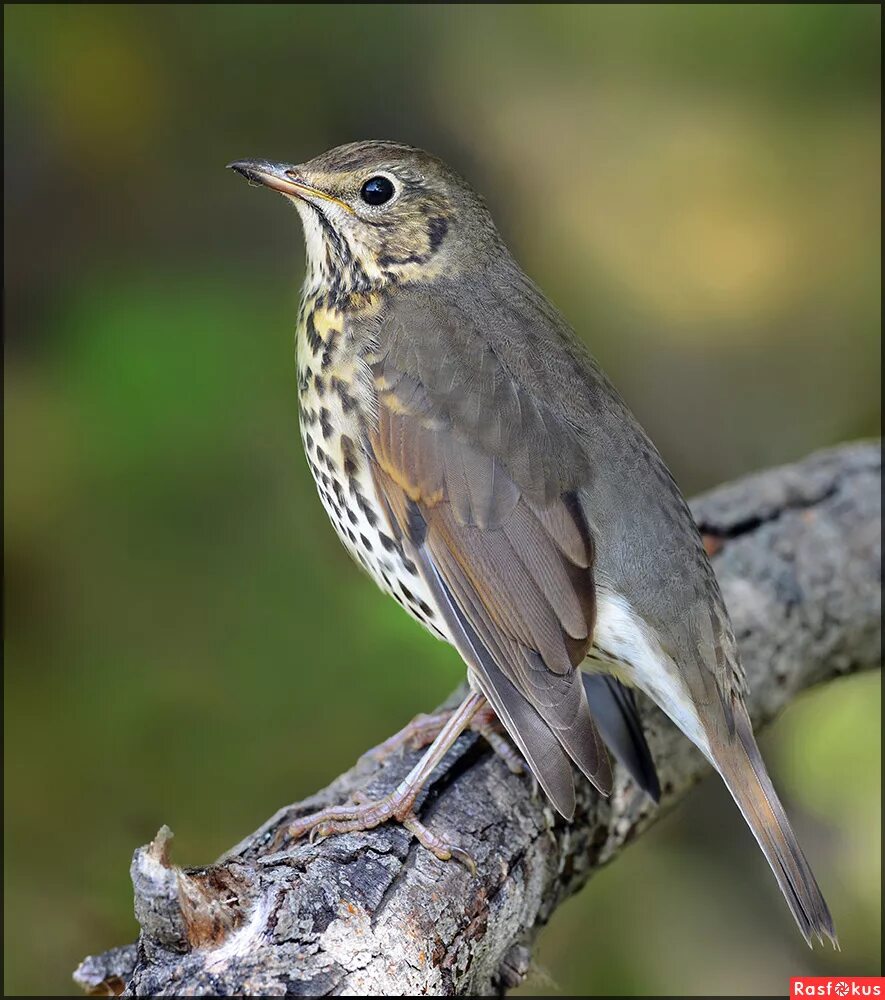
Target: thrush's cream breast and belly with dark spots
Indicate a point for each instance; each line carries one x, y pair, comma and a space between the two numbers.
334, 393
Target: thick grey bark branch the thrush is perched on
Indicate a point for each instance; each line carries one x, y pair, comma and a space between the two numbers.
798, 552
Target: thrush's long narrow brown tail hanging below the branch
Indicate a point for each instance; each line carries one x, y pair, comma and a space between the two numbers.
743, 770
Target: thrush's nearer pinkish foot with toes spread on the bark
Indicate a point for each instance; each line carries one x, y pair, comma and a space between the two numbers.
365, 814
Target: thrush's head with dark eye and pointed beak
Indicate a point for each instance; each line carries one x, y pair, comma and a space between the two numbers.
376, 213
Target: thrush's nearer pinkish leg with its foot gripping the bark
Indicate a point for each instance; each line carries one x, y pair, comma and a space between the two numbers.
399, 804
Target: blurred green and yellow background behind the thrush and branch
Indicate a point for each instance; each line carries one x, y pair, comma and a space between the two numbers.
696, 186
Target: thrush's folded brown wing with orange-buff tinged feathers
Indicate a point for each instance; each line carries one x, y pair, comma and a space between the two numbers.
510, 566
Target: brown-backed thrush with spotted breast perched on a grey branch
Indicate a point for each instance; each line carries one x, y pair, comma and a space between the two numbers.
474, 458
